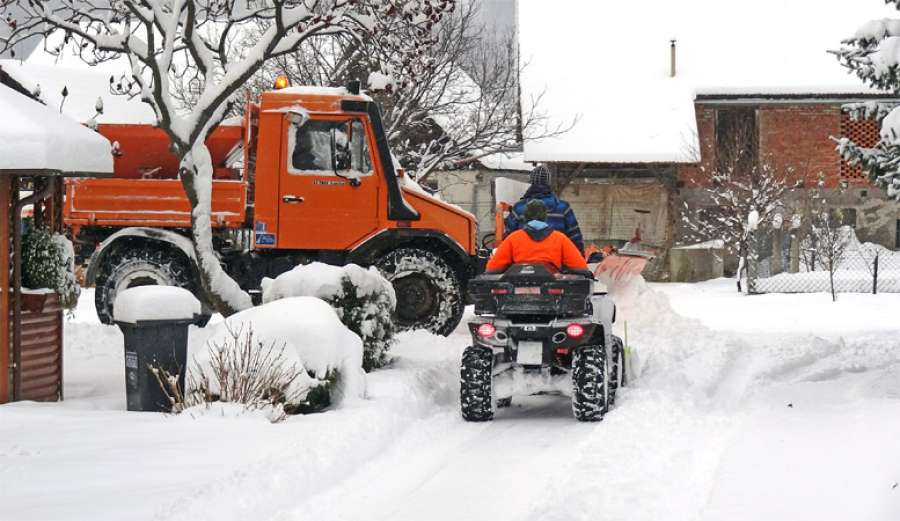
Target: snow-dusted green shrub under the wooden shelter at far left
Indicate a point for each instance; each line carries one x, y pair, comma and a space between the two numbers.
48, 261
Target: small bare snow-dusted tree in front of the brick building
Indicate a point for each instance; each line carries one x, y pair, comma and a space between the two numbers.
740, 185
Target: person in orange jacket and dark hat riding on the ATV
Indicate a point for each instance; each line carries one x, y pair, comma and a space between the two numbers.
537, 242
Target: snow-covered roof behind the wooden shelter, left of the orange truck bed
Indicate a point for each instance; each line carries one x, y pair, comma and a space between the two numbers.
84, 85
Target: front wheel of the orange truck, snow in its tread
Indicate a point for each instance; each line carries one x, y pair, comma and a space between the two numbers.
429, 295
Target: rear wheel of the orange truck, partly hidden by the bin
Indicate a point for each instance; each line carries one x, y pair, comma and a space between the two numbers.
146, 265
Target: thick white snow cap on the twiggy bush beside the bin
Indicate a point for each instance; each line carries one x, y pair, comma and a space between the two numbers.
313, 337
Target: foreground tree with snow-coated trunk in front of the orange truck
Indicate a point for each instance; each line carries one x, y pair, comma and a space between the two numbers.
162, 39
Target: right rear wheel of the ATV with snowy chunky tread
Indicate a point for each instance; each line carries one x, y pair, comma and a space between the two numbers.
589, 392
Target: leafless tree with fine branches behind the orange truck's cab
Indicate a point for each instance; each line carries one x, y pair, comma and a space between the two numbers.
444, 106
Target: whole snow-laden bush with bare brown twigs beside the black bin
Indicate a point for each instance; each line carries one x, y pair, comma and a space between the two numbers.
293, 354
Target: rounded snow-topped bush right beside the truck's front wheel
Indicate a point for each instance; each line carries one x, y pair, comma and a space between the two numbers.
362, 298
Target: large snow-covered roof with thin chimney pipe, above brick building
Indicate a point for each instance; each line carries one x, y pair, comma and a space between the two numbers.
609, 63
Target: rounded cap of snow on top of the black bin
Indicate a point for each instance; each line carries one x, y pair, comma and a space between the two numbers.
155, 303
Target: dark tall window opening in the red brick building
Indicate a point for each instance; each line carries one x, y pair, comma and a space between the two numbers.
737, 140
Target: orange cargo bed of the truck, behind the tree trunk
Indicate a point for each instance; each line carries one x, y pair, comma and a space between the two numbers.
145, 190
